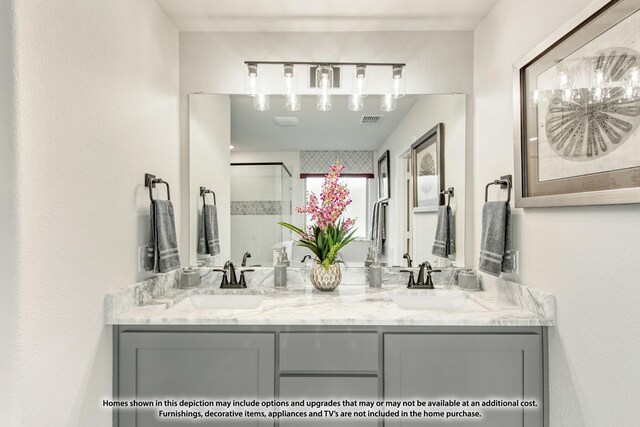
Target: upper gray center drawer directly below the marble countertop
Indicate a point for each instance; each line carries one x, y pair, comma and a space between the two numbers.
329, 351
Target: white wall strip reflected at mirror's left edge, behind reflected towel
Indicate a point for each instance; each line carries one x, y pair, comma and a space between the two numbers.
210, 136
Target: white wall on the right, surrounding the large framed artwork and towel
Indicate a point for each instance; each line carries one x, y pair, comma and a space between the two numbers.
586, 256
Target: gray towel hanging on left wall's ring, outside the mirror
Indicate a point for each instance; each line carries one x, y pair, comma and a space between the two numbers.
162, 251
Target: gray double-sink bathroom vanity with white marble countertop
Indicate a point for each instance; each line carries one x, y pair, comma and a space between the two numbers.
355, 342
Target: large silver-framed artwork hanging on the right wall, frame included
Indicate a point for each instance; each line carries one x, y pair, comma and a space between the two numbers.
577, 112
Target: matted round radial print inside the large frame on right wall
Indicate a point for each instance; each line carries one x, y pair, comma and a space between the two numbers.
597, 130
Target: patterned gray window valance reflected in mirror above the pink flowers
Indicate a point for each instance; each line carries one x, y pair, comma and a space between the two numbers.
356, 163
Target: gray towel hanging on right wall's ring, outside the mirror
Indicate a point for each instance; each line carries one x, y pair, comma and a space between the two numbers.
495, 245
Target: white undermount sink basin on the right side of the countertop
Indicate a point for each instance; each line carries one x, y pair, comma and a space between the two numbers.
436, 300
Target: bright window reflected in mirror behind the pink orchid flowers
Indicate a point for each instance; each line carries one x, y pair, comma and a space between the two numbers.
358, 189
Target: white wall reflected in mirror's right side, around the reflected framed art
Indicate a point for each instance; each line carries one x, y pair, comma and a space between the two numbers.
425, 114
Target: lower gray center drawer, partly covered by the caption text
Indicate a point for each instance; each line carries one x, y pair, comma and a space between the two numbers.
326, 388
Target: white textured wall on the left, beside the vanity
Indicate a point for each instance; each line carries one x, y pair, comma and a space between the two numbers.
96, 105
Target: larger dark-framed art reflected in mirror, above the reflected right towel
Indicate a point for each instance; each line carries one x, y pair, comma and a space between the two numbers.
427, 168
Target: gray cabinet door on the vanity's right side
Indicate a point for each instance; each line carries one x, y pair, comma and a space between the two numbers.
466, 366
